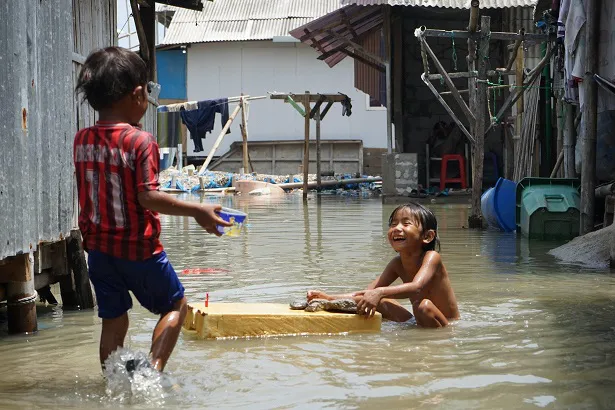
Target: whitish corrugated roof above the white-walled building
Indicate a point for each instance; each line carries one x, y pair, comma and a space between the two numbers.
242, 20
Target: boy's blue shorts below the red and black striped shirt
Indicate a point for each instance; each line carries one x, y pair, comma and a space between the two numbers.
153, 282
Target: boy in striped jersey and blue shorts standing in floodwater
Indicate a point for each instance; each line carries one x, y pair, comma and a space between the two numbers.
117, 180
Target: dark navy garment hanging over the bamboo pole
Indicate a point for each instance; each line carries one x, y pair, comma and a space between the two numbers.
201, 120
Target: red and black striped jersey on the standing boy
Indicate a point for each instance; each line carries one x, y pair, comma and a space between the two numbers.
114, 162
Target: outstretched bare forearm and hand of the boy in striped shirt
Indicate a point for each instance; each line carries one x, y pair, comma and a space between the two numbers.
205, 215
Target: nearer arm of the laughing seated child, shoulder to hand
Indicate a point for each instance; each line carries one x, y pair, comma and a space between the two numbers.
371, 297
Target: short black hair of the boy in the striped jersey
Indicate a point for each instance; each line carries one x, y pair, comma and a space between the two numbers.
109, 74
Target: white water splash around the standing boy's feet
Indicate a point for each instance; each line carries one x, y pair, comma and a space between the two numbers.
132, 380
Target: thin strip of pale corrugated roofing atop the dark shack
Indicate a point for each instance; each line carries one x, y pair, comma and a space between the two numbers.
451, 4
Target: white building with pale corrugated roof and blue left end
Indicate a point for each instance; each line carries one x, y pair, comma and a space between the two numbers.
235, 46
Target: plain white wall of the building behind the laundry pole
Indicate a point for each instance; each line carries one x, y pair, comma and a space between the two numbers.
218, 70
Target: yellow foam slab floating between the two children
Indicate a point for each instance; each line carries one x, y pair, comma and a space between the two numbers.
267, 319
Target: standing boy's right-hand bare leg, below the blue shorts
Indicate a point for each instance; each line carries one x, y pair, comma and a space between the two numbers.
166, 333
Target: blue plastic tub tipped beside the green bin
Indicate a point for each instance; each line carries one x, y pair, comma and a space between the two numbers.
498, 205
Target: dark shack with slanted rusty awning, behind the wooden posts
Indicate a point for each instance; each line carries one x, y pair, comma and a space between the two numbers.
415, 113
